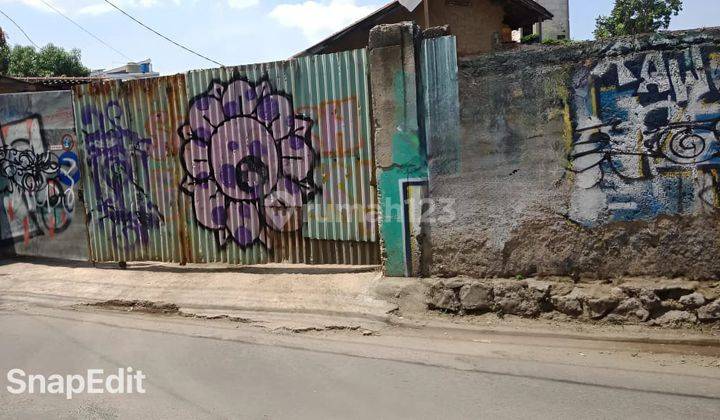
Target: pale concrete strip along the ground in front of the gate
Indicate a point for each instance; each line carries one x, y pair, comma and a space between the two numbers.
328, 290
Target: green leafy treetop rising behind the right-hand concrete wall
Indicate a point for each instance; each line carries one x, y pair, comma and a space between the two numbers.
632, 17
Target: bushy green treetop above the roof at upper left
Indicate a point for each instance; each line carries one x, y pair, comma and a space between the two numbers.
49, 61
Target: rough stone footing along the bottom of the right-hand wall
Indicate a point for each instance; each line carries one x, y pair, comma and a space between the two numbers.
627, 301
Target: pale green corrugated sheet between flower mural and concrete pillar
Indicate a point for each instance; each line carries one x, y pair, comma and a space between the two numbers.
334, 91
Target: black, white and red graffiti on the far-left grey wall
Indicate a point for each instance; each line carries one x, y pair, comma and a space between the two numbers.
37, 184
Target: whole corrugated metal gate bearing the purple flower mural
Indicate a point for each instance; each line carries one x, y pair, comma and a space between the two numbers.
245, 165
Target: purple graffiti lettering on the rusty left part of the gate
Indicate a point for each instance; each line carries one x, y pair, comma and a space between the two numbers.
118, 163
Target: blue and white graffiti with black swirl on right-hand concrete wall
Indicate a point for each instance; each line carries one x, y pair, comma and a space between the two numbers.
646, 136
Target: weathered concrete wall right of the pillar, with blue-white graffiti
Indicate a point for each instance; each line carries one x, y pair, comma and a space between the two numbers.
592, 160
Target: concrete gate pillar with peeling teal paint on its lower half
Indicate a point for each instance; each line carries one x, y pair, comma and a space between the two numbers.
400, 152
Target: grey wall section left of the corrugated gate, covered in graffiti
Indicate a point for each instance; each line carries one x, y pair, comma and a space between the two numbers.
40, 209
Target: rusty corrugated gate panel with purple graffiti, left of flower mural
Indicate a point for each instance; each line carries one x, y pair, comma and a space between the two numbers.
131, 168
